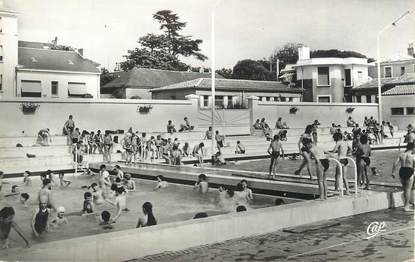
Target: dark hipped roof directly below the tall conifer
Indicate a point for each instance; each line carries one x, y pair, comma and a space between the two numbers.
145, 78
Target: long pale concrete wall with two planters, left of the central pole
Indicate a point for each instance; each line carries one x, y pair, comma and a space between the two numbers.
91, 114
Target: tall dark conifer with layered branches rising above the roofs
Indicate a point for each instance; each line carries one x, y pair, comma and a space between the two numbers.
163, 51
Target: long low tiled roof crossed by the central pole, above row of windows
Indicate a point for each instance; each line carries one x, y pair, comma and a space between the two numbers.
231, 85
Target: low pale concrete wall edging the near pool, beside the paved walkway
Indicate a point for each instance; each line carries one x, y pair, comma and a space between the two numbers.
136, 243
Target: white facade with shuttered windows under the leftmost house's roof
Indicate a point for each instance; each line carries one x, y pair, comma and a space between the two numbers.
91, 81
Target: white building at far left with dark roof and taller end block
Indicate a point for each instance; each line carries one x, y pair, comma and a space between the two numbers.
31, 69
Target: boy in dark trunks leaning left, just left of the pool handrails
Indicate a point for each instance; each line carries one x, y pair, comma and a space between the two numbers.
322, 165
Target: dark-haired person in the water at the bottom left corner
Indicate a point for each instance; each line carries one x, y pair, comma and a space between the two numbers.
6, 224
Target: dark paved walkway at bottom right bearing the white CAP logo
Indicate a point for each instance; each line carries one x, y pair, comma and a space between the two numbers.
346, 241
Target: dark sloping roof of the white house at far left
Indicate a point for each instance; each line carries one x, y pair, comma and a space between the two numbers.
55, 60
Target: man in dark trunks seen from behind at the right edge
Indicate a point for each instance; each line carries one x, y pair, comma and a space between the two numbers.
406, 173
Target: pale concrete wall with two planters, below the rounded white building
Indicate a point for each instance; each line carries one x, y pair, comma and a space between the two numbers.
308, 112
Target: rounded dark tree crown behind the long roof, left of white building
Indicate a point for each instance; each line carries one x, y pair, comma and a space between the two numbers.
251, 70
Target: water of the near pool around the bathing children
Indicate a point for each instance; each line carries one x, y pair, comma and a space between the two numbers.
174, 203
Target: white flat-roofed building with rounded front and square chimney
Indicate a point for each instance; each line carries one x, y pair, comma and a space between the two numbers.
329, 79
